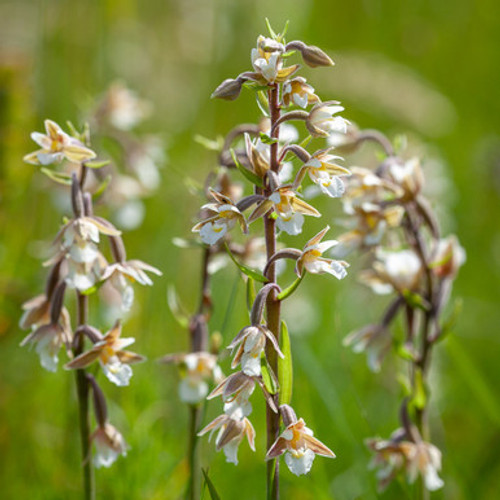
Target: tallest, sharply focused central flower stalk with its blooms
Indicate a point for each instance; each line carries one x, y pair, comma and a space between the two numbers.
262, 348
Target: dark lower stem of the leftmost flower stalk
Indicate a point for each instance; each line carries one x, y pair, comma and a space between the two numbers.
82, 387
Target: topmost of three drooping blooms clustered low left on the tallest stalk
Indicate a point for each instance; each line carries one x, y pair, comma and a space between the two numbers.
252, 342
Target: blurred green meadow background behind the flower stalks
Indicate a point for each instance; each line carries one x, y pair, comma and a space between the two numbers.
431, 69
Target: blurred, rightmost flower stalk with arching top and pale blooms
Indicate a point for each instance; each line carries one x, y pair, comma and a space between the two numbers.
409, 260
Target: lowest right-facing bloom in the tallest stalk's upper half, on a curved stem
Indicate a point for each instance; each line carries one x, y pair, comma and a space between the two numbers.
312, 261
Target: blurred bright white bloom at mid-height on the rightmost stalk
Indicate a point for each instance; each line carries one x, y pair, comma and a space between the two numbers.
393, 271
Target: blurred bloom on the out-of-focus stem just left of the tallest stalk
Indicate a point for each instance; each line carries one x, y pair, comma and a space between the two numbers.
196, 368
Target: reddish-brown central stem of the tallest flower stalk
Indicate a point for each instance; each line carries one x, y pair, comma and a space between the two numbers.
272, 305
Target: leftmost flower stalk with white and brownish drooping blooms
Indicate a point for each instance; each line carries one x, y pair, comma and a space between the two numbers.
79, 265
